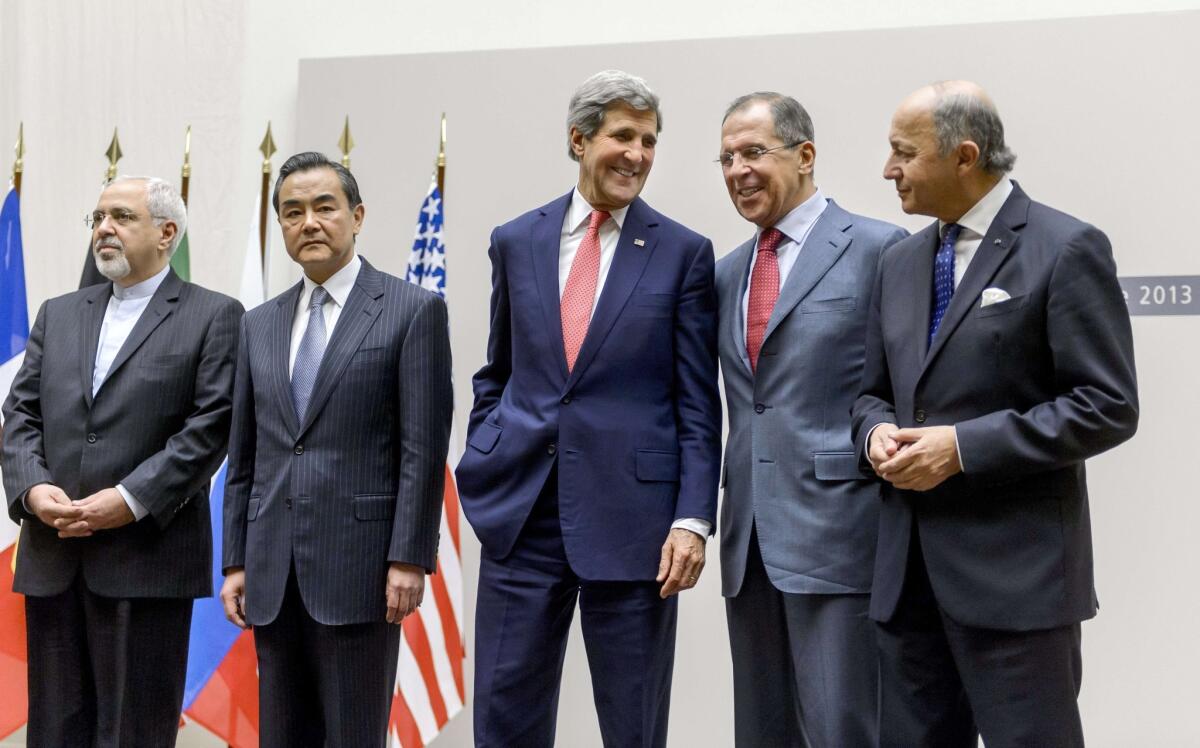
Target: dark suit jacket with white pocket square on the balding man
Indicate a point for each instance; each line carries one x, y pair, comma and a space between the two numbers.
1034, 385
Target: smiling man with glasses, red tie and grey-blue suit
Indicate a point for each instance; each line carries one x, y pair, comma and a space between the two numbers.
800, 519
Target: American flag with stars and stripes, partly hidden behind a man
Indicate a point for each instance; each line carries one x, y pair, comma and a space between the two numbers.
429, 681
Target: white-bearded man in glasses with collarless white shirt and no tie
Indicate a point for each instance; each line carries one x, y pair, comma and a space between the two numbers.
115, 426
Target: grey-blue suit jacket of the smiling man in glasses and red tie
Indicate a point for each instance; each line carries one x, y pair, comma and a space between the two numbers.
789, 460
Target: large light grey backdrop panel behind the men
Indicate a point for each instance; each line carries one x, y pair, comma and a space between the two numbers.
1101, 115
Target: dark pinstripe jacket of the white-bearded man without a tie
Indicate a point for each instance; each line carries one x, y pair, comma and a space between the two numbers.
159, 427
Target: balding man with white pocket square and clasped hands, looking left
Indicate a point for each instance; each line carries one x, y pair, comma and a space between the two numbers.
999, 358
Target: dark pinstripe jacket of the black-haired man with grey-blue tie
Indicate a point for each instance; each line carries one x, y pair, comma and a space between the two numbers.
357, 484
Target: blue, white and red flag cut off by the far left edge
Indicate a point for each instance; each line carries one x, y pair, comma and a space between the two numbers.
14, 336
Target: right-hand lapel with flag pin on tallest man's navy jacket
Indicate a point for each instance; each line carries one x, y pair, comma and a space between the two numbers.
628, 264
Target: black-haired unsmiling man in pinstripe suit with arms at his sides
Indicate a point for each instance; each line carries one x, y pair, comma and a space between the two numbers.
337, 466
